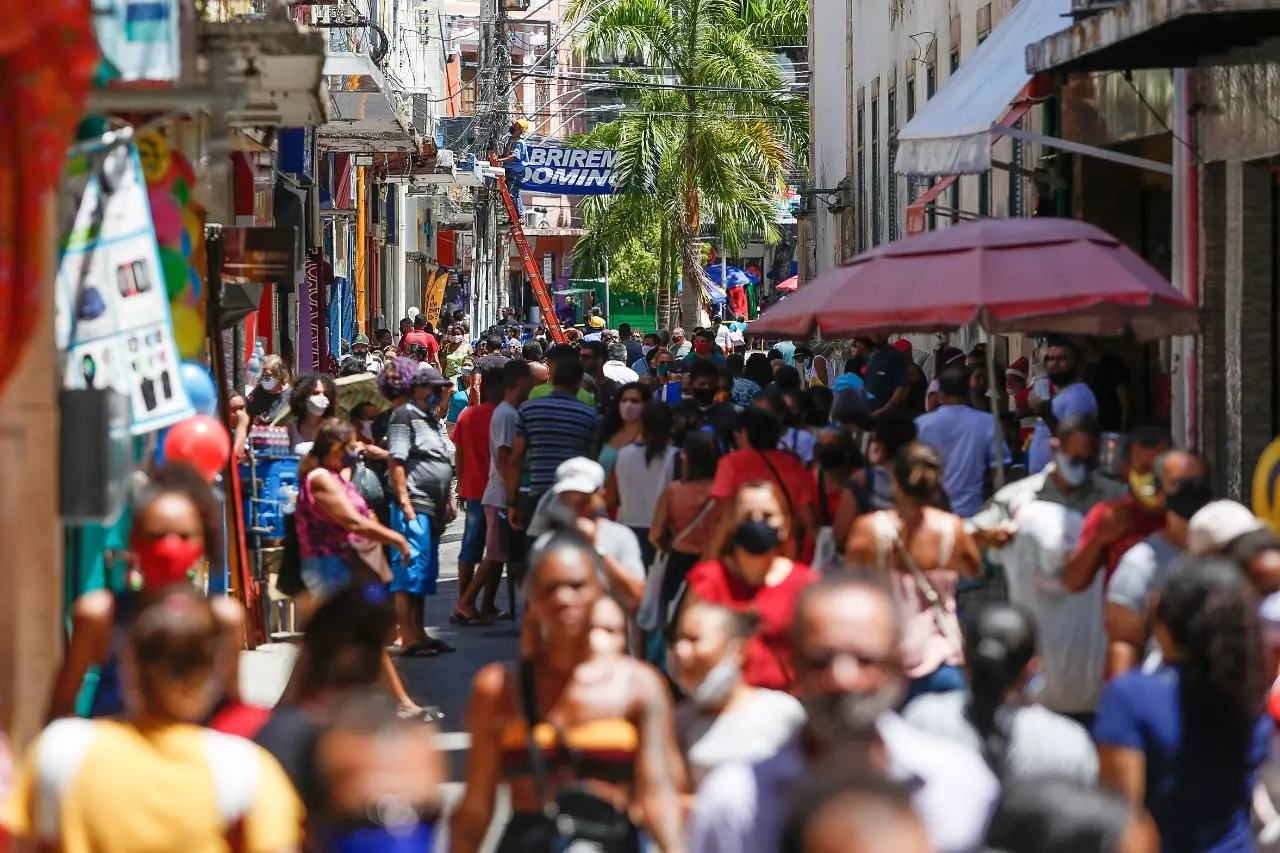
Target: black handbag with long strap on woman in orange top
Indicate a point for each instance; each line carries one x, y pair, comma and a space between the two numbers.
575, 815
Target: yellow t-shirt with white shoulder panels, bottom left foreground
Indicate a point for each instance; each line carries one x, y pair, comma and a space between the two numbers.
109, 787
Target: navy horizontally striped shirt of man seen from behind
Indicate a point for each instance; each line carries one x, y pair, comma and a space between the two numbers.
556, 428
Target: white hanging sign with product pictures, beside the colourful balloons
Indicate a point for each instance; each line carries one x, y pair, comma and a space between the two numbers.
112, 311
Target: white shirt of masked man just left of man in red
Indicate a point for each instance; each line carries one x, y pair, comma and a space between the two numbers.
1072, 630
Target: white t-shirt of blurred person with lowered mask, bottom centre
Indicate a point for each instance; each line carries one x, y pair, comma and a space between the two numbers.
752, 732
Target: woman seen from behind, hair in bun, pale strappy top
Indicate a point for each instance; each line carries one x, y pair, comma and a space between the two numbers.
924, 550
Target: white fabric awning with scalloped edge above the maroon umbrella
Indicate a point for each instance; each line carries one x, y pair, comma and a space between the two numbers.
952, 135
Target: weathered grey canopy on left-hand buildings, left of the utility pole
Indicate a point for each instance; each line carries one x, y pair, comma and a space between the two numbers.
365, 112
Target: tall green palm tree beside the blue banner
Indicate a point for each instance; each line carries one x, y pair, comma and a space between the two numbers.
712, 131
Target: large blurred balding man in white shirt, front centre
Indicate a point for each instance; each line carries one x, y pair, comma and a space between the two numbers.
849, 676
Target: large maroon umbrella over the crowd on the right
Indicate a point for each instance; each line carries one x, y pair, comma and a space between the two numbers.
1008, 275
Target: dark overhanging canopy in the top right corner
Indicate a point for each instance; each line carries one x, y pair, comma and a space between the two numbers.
1159, 34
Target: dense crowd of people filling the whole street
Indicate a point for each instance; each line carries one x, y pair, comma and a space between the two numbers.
770, 600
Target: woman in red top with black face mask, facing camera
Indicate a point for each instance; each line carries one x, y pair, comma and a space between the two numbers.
755, 572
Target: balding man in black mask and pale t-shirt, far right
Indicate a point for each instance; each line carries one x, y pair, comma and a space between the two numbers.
1182, 480
